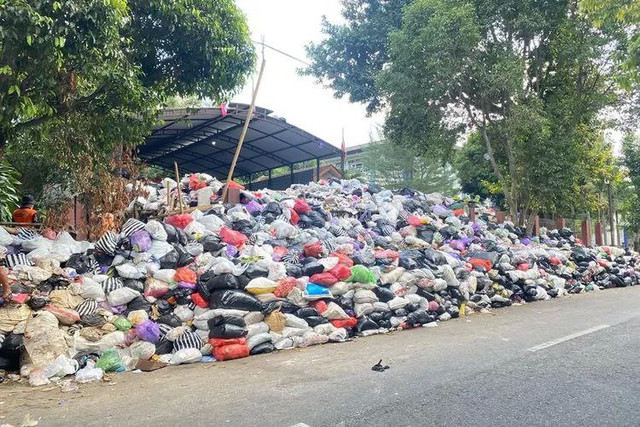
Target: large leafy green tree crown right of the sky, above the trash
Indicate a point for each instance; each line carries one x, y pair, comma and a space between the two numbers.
527, 75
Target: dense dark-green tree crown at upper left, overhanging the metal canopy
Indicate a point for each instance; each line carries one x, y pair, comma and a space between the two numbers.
71, 58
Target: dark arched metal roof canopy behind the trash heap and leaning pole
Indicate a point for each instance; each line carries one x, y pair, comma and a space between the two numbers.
202, 140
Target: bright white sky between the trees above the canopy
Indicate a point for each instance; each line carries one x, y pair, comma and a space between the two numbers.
289, 25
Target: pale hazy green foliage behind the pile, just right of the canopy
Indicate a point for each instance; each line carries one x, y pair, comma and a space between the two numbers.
395, 167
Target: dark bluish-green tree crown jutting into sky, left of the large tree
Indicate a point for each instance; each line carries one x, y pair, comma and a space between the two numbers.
348, 59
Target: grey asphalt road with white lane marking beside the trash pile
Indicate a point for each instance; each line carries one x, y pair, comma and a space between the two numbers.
572, 361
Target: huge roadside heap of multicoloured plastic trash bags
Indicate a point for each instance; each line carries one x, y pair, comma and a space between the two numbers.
317, 263
